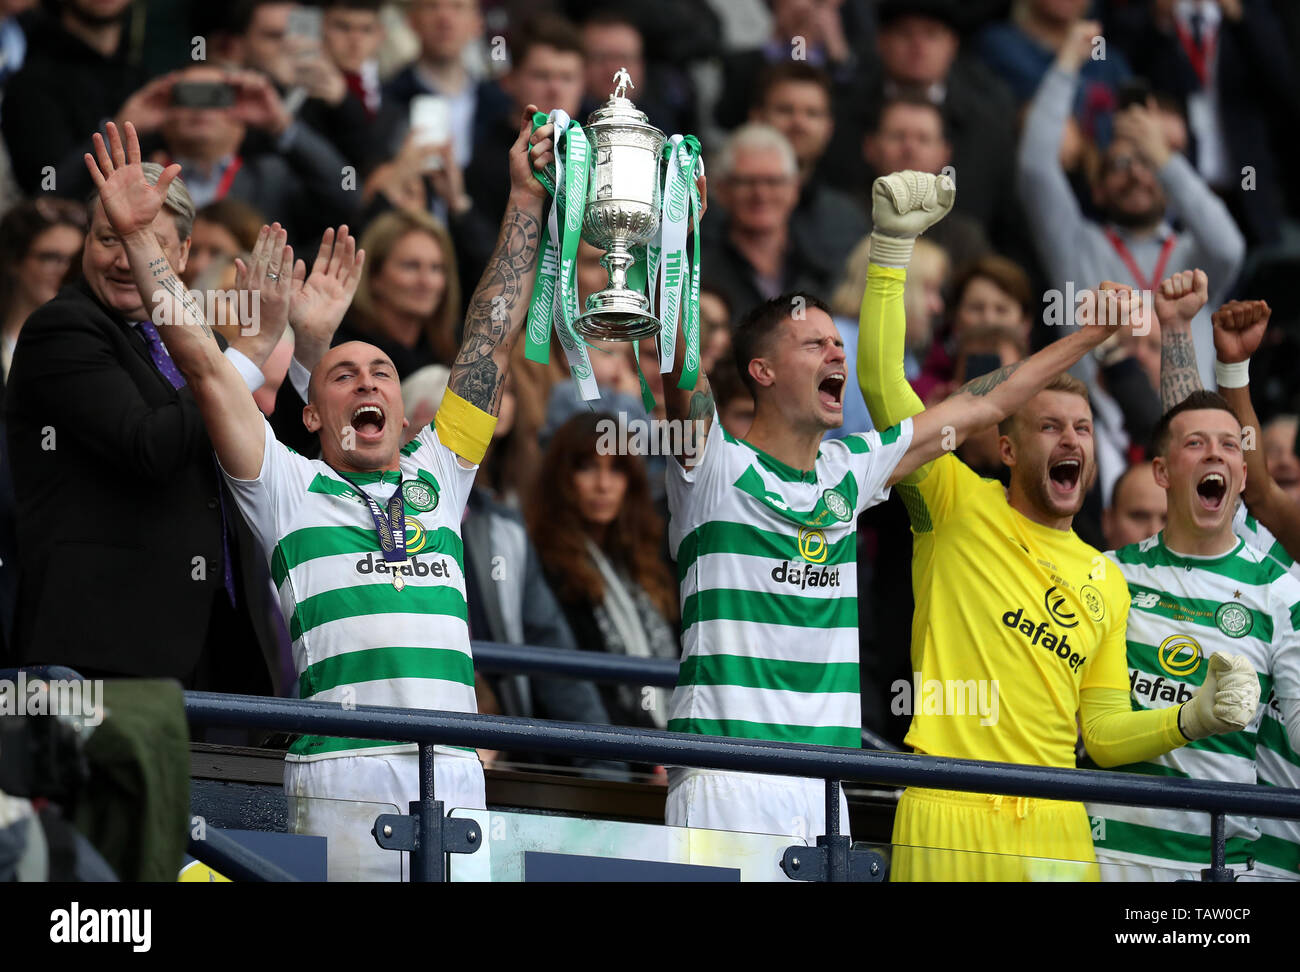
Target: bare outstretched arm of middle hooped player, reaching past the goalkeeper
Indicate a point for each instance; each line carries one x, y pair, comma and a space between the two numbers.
991, 398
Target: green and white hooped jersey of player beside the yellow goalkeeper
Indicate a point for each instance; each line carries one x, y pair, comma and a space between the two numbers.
768, 565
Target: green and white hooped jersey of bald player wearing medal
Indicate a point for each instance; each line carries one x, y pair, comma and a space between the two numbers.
357, 639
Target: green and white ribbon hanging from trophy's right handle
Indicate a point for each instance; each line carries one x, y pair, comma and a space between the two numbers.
669, 266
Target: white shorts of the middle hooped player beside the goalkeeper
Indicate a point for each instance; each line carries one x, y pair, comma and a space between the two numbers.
709, 800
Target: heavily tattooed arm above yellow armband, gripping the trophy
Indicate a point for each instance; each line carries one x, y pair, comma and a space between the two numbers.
500, 303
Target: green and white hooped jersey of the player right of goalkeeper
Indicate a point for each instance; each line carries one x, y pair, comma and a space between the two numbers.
1184, 611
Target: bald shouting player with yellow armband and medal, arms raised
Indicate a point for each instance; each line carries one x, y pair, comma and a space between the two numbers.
365, 544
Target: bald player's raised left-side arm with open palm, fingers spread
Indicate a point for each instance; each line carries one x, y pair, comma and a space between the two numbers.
132, 205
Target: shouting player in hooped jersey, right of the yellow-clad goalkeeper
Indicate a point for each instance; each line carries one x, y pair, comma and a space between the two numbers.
1204, 604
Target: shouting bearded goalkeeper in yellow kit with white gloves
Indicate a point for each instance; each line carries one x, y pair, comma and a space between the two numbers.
1008, 597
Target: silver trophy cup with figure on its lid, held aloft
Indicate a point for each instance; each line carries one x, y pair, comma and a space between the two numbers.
622, 212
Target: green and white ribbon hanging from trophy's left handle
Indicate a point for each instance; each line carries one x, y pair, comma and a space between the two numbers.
556, 292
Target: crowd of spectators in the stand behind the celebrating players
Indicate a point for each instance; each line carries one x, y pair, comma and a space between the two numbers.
1089, 140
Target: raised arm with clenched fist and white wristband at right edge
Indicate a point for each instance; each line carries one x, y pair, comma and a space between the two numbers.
1240, 327
